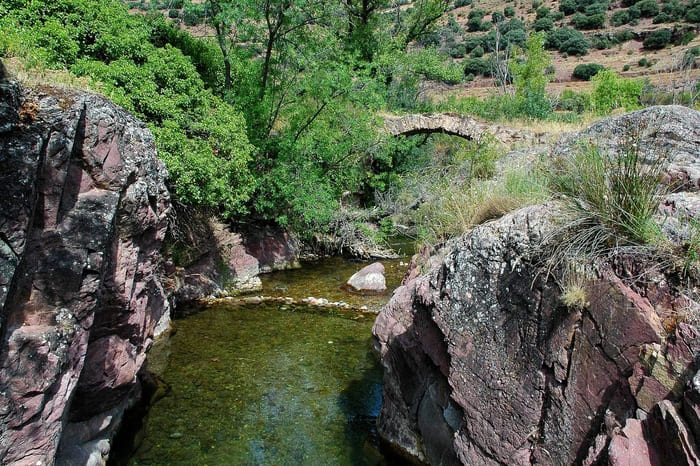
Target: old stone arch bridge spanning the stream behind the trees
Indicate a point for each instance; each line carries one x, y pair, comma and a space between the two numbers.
457, 125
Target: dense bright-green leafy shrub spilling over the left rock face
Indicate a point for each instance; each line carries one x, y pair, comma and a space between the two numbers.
201, 138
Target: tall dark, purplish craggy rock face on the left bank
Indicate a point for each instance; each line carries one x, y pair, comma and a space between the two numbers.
82, 217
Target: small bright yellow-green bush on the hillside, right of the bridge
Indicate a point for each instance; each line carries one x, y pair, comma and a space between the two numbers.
611, 91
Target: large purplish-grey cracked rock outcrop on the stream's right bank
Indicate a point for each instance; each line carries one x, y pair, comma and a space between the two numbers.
485, 365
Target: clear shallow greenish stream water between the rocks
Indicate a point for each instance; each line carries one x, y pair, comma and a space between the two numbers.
271, 384
